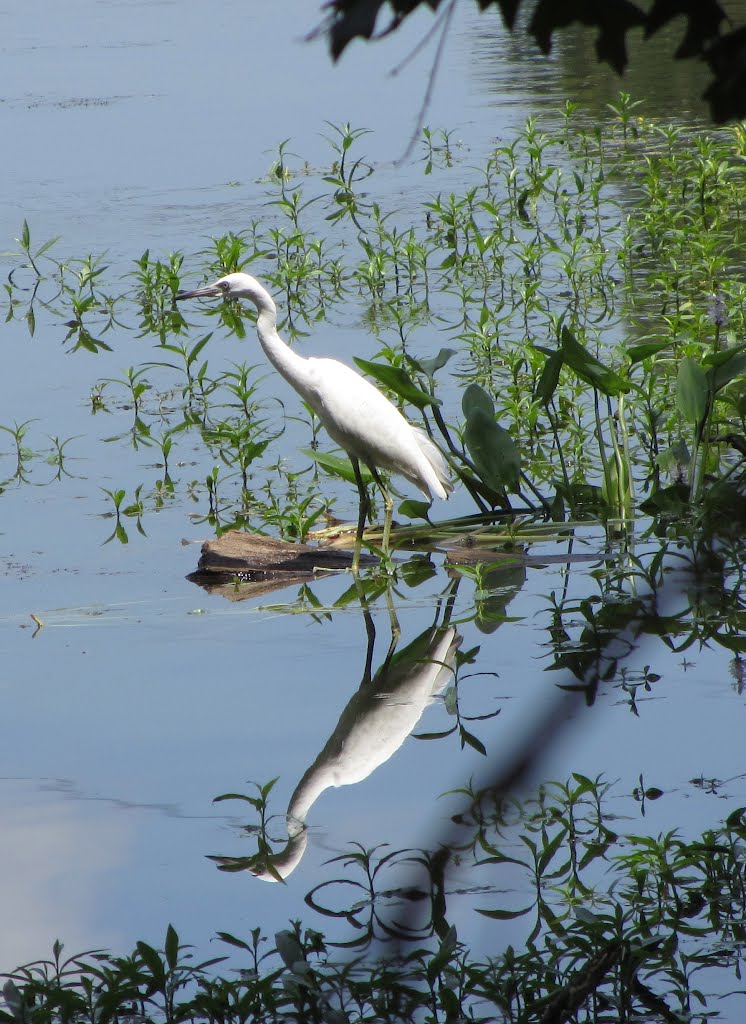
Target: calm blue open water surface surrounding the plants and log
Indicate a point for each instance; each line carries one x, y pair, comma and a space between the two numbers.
138, 125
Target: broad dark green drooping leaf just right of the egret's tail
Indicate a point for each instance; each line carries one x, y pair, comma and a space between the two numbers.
492, 448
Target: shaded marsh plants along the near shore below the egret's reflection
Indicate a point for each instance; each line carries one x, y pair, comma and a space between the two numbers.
616, 925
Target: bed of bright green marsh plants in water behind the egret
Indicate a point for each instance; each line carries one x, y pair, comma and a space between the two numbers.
585, 290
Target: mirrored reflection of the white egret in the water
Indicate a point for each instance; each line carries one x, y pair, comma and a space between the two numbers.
372, 729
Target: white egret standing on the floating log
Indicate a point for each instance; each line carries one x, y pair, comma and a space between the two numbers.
356, 414
